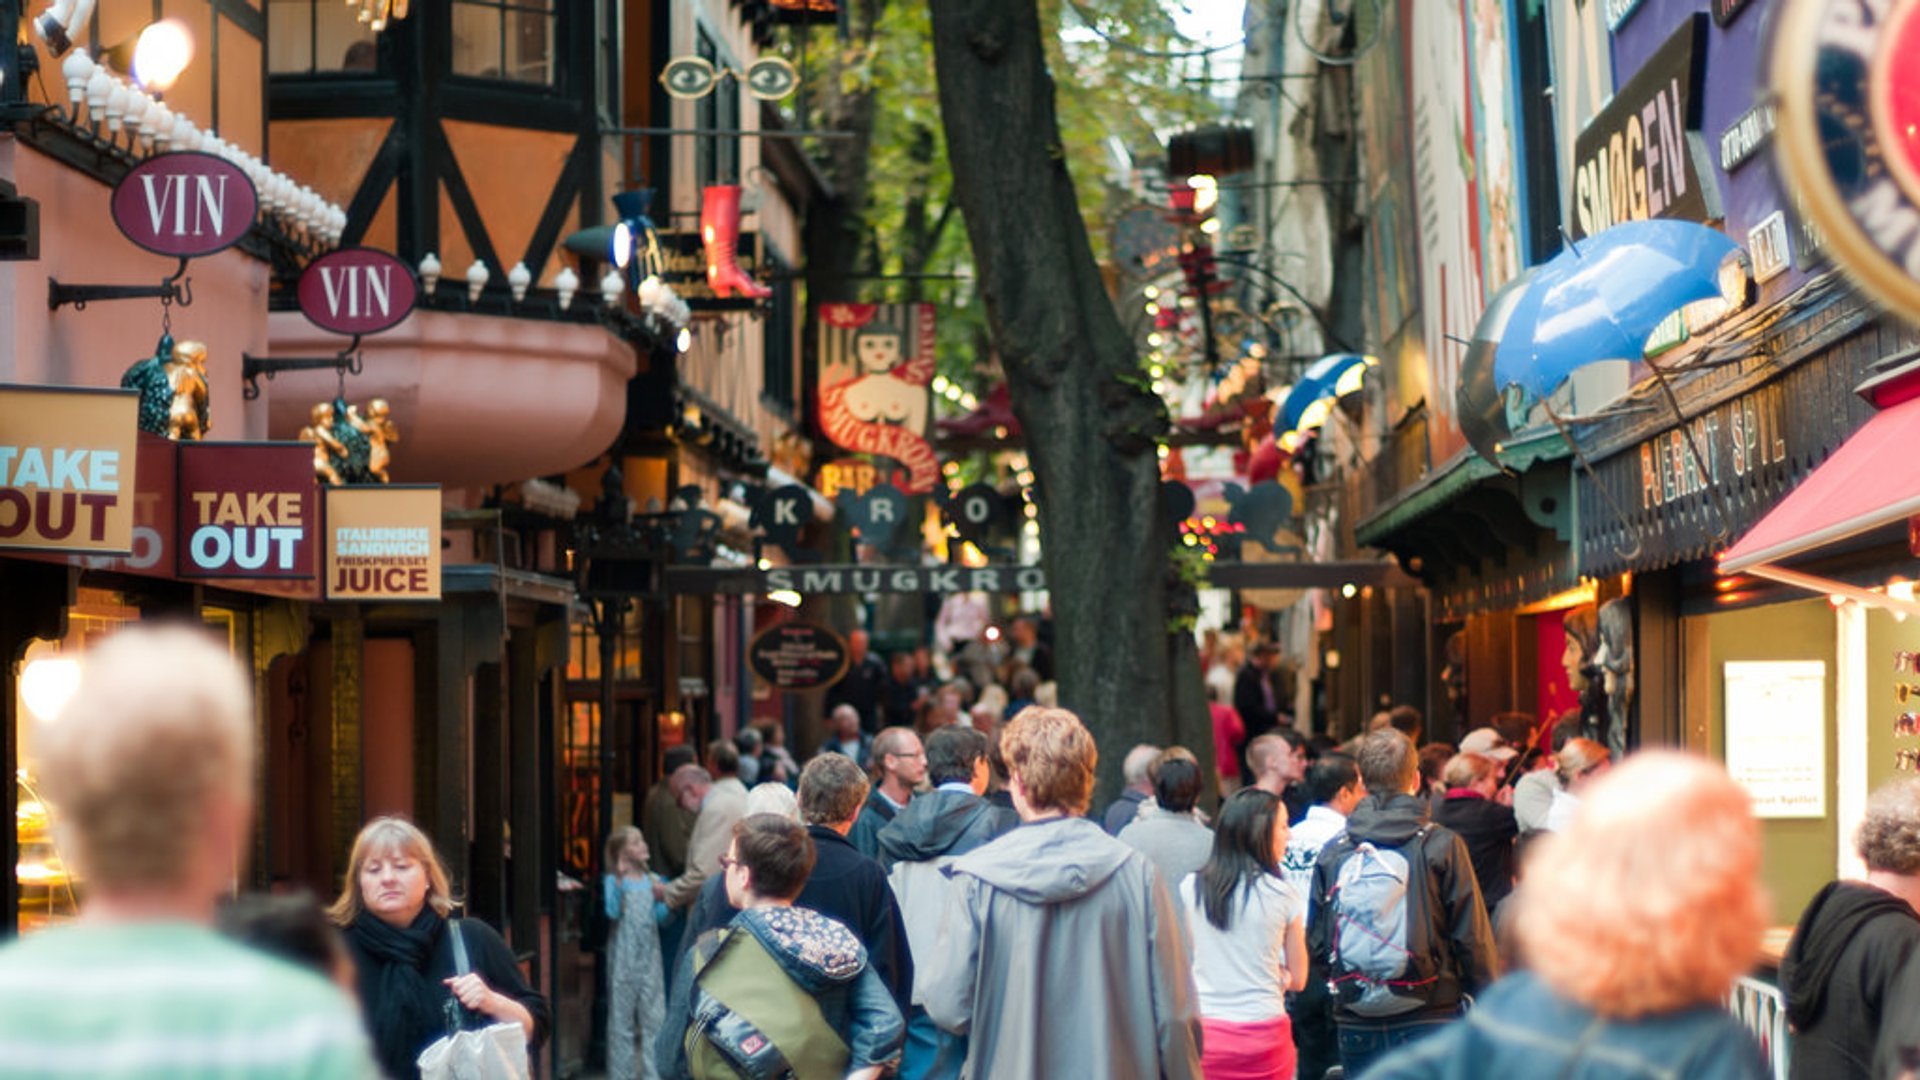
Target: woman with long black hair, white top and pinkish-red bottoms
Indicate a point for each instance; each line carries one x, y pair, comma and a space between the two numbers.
1249, 943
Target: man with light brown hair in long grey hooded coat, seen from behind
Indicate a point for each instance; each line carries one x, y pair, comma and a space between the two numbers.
1061, 952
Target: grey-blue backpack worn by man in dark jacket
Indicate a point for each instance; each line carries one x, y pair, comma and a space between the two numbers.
1381, 952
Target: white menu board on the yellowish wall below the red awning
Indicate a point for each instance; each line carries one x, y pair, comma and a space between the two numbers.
1777, 735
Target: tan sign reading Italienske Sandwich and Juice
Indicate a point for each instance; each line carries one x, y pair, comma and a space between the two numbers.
383, 543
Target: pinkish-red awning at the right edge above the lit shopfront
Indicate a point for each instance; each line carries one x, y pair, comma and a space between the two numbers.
1867, 483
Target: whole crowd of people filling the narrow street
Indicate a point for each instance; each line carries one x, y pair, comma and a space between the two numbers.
955, 906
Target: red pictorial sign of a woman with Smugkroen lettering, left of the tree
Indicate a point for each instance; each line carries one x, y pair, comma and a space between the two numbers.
876, 364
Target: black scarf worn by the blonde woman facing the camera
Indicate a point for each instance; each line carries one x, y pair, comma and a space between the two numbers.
404, 1006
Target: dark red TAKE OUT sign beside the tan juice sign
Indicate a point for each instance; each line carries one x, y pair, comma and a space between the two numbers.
247, 510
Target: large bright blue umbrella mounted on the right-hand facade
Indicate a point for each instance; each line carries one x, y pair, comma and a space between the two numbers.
1602, 297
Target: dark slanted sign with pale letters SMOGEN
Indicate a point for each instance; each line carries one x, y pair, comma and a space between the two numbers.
1644, 157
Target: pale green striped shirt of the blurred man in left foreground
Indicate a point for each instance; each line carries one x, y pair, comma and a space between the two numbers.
170, 1000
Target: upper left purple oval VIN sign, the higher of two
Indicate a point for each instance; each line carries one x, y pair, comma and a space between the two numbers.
185, 205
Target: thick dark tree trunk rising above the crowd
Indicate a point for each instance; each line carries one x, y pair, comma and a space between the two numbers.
1076, 387
